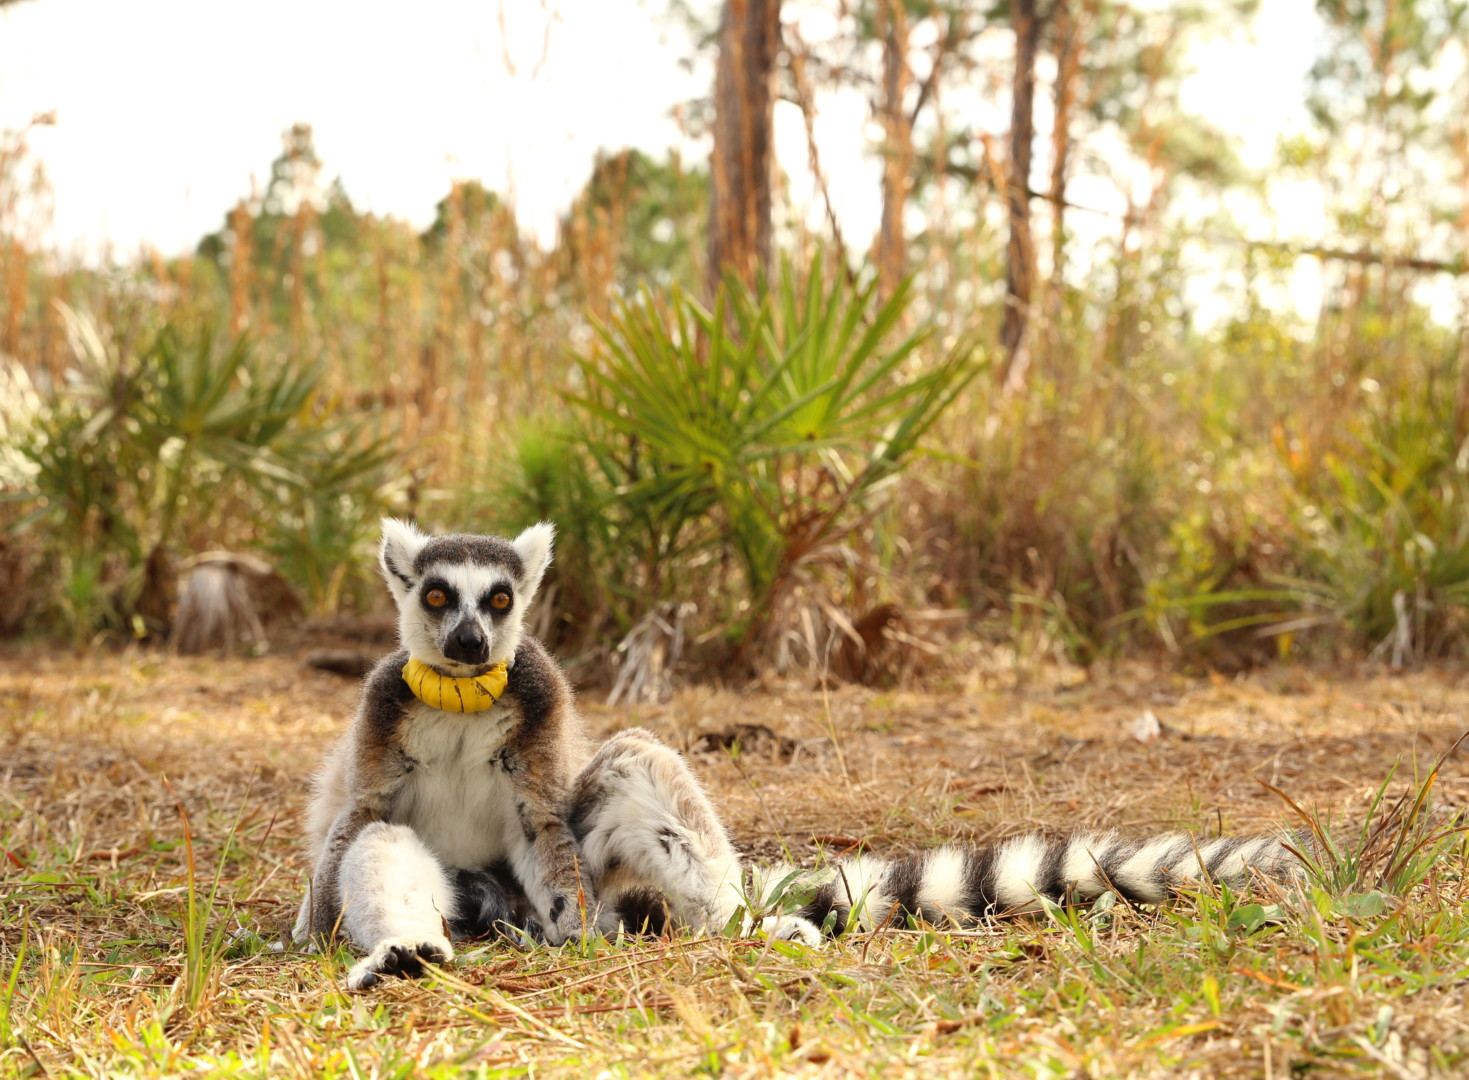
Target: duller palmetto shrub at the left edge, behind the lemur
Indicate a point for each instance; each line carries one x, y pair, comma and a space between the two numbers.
140, 456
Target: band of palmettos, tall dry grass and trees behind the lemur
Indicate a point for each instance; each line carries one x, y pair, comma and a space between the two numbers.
798, 455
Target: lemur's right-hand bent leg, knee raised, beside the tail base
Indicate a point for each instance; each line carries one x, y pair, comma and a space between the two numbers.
649, 829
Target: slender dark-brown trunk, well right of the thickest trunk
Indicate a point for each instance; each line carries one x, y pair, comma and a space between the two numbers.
1020, 256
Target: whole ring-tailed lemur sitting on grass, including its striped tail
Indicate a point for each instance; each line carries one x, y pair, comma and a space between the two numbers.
465, 800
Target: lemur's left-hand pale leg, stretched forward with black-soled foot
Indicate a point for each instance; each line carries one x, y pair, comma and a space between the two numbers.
396, 903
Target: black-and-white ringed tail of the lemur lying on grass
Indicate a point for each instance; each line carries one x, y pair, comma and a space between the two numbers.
959, 887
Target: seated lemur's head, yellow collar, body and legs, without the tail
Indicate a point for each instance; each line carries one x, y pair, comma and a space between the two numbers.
450, 804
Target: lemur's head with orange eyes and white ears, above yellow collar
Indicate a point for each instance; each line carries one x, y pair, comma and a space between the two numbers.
462, 600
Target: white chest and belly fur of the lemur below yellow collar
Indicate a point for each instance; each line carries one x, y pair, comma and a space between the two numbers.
461, 806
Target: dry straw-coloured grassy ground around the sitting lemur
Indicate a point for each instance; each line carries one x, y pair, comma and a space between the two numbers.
95, 904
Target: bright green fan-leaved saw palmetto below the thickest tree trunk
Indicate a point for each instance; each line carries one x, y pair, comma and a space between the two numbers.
768, 425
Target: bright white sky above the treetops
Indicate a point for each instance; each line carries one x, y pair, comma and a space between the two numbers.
168, 108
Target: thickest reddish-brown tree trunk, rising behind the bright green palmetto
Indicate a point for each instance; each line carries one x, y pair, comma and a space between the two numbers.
744, 115
